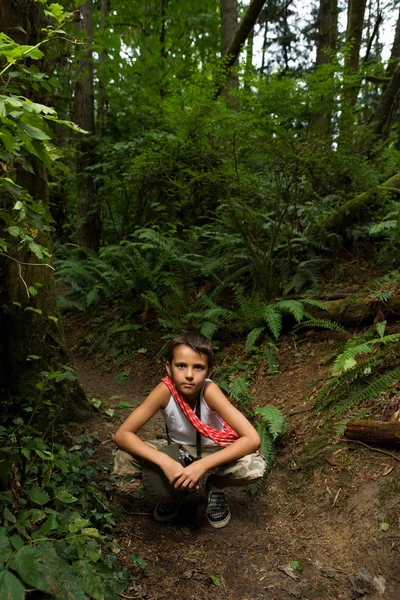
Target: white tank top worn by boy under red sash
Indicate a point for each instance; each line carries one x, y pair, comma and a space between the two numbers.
181, 431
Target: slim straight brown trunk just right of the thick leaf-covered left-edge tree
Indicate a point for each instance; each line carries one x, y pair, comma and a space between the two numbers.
88, 206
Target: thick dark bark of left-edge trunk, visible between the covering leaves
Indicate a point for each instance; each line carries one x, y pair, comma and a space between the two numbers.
32, 338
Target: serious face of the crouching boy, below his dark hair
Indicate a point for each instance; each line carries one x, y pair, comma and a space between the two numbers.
188, 370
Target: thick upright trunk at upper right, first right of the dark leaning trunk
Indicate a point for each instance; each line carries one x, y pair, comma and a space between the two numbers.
321, 118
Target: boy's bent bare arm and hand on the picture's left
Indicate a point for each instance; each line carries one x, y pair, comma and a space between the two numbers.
127, 439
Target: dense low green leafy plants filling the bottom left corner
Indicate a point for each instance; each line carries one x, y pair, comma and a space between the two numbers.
57, 526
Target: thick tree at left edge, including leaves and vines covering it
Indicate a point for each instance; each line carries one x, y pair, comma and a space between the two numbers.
32, 338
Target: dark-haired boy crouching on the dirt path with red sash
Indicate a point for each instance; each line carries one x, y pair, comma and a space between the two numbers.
201, 420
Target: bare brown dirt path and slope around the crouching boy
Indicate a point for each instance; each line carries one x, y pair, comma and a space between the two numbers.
323, 504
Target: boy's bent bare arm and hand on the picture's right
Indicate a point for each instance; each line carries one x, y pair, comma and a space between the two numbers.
248, 441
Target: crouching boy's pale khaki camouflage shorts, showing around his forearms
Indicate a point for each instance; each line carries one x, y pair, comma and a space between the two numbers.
249, 467
